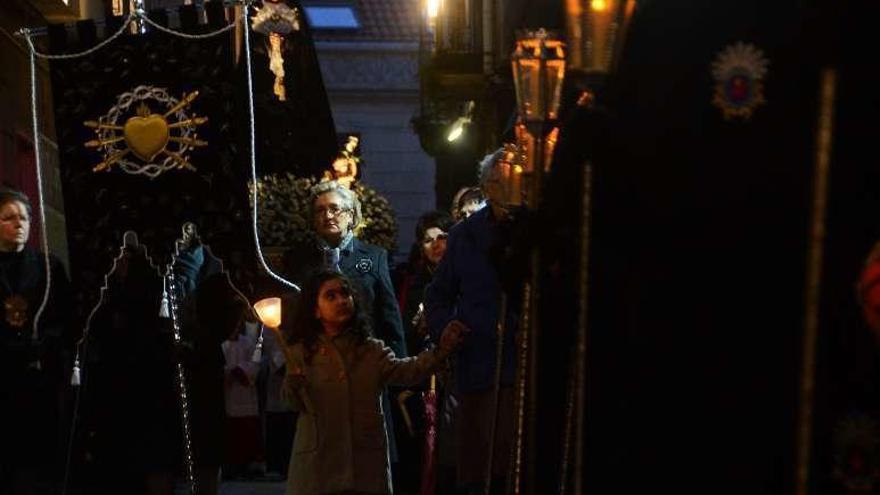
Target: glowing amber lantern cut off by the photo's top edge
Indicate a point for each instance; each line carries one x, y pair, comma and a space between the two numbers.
595, 30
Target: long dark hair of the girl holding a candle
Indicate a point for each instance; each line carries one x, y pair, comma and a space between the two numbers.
306, 328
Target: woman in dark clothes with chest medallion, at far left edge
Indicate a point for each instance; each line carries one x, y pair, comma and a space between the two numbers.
31, 362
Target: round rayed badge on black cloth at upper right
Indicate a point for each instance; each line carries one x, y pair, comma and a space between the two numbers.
739, 71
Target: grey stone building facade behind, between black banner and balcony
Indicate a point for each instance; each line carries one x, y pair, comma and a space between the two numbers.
371, 74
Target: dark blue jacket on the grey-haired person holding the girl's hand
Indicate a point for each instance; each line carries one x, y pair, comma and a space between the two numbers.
466, 287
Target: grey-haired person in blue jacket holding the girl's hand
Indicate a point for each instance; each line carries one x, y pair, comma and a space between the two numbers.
466, 290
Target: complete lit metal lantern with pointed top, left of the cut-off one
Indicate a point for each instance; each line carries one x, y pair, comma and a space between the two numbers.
538, 70
